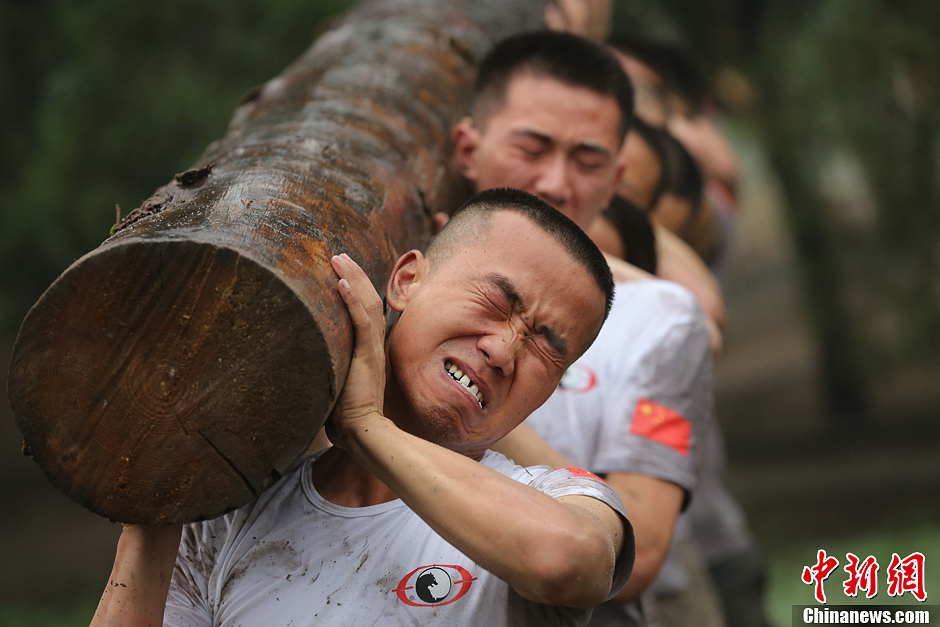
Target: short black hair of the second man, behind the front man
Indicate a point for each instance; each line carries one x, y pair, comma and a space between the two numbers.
567, 58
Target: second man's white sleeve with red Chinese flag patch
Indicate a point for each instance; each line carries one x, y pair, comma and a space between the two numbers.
655, 422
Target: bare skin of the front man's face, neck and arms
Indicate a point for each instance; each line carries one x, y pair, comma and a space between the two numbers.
558, 551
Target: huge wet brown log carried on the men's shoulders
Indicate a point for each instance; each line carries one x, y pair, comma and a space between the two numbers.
177, 370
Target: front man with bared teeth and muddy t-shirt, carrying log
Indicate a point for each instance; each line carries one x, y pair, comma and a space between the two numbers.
409, 517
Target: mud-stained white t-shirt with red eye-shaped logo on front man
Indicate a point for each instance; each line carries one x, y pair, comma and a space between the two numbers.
294, 558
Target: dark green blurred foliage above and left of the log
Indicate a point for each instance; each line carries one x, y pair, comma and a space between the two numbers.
112, 99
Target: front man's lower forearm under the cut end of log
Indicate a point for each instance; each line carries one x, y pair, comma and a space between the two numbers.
135, 594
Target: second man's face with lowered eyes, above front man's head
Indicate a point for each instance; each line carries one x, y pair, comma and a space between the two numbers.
558, 142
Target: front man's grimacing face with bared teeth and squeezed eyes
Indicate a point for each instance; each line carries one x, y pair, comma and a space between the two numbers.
511, 311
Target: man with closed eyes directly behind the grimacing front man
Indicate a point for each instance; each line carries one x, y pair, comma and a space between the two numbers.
549, 115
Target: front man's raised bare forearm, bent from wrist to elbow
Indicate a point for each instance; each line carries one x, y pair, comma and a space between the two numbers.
546, 550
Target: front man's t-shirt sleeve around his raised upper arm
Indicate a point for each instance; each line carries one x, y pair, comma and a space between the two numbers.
560, 482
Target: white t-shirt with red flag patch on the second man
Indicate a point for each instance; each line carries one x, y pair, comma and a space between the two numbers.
639, 399
